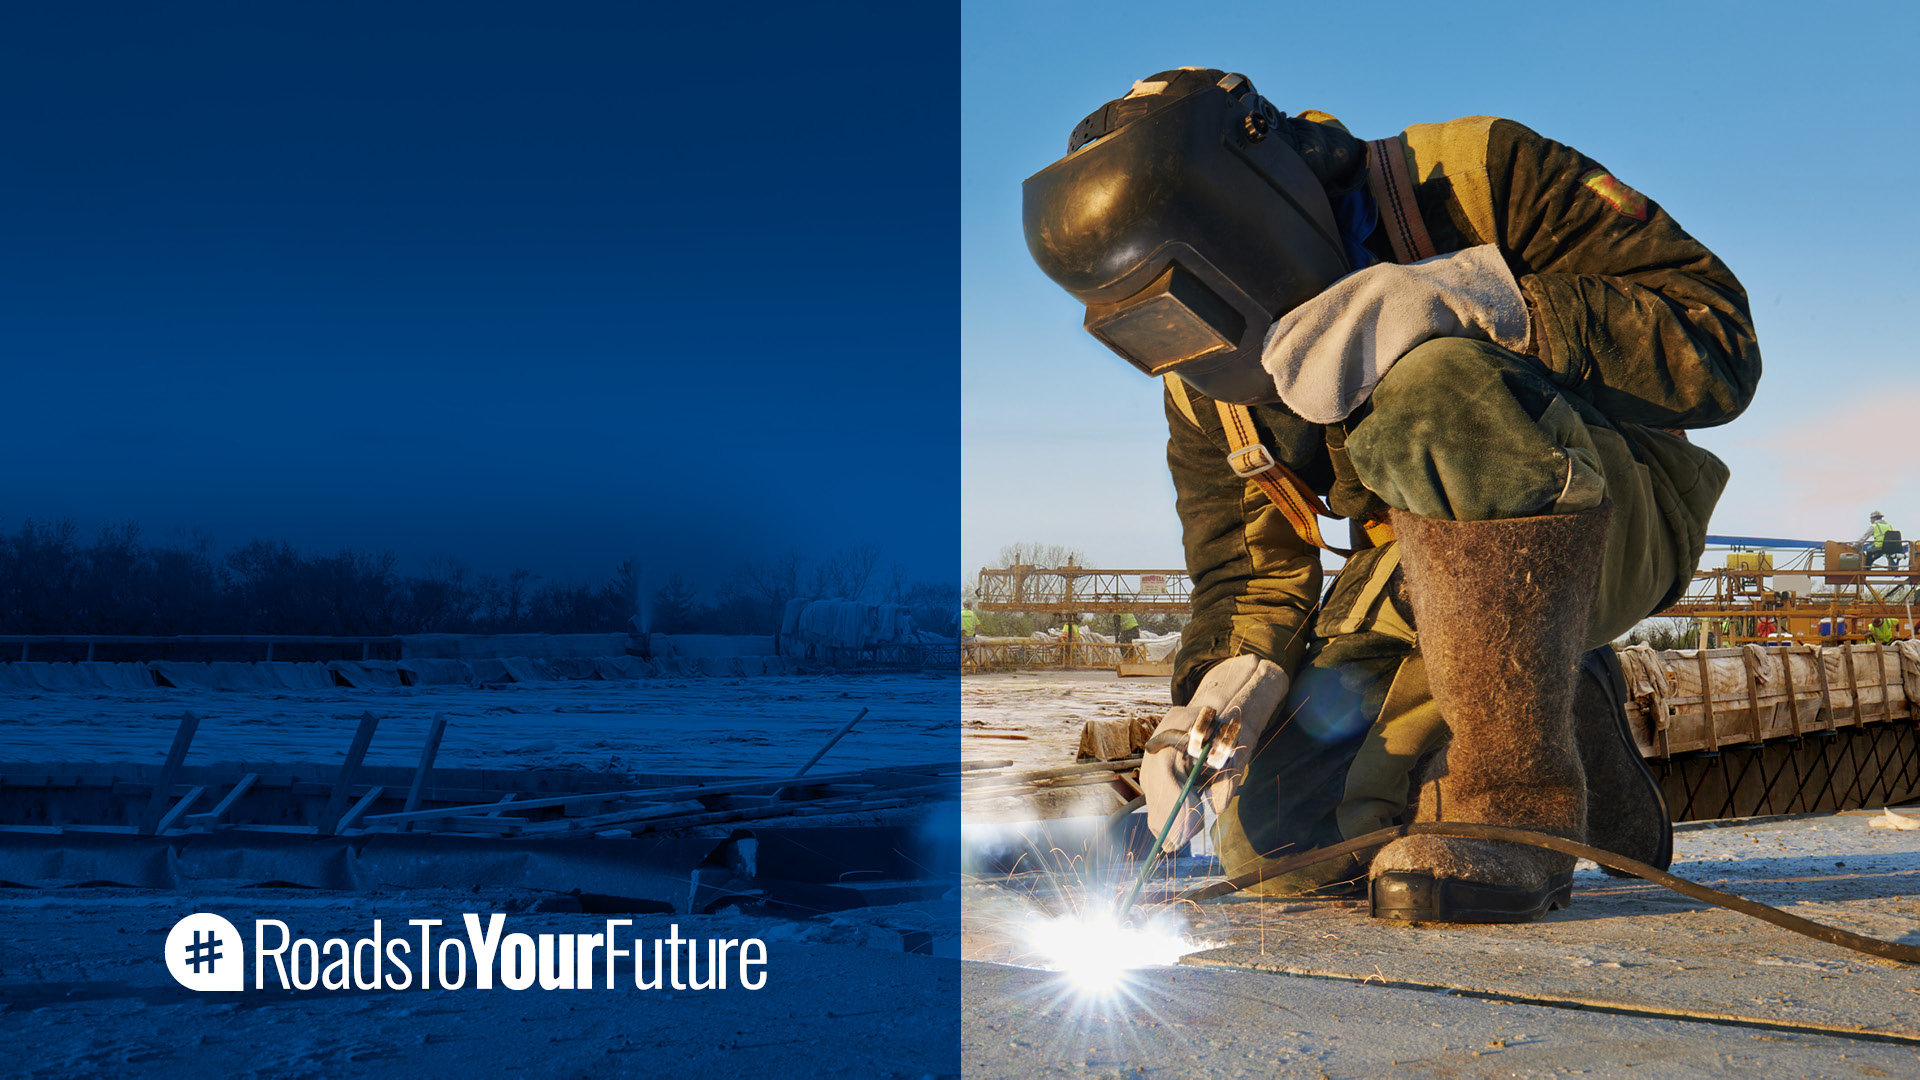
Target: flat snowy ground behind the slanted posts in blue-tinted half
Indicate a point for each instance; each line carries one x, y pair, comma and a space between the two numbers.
744, 725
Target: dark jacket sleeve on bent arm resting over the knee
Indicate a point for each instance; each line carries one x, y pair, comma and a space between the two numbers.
1627, 310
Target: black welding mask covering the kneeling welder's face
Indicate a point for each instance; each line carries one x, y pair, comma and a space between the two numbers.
1188, 226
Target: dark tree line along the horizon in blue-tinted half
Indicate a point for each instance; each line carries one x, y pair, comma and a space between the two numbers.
53, 581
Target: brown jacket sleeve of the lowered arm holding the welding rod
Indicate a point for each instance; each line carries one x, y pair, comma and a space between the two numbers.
1255, 579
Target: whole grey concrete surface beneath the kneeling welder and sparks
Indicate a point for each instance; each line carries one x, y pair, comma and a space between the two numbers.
1629, 981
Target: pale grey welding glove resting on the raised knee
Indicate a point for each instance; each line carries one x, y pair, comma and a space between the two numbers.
1328, 355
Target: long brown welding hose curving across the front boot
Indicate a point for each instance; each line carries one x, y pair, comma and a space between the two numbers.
1474, 831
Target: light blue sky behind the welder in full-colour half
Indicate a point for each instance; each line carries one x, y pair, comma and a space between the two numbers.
1779, 135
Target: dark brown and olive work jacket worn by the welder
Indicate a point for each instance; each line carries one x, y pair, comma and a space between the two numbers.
1629, 312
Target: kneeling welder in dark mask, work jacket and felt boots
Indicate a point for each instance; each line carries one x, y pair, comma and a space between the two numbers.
1481, 351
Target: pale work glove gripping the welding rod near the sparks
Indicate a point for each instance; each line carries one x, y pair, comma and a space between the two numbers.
1236, 702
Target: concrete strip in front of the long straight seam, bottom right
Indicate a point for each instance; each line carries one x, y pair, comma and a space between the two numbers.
1022, 1023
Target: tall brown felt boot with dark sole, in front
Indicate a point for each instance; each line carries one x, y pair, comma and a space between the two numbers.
1500, 610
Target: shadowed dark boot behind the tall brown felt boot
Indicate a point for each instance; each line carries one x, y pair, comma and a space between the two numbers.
1625, 808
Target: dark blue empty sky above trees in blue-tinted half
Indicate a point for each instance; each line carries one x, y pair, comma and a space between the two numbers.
517, 285
